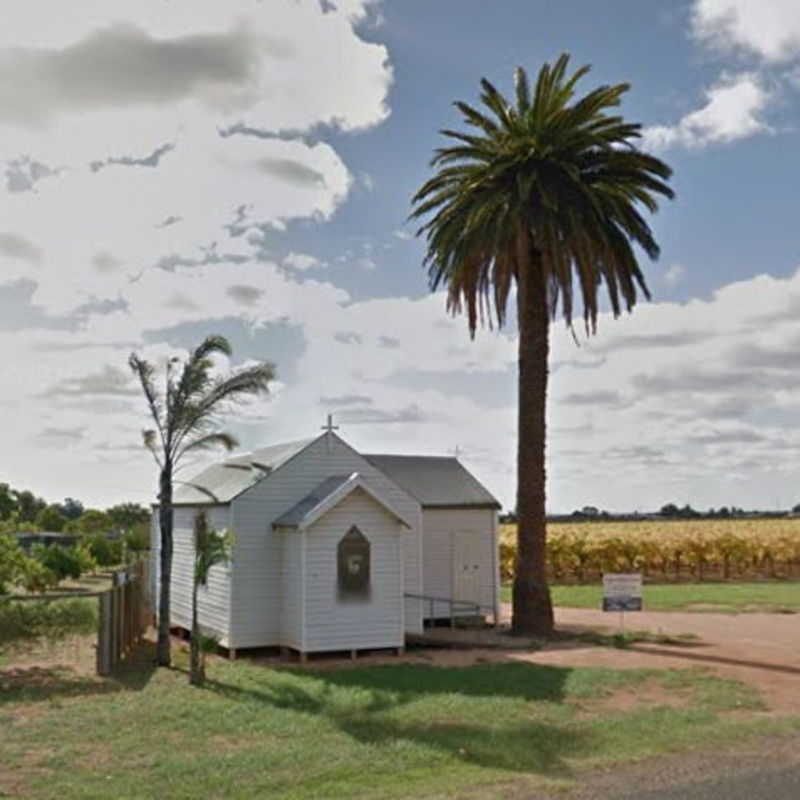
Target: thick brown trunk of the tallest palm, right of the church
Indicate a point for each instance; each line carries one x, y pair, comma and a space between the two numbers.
532, 607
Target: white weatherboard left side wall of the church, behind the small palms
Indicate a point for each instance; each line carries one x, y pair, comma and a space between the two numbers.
213, 601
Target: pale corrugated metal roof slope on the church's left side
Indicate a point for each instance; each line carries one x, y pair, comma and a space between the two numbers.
220, 483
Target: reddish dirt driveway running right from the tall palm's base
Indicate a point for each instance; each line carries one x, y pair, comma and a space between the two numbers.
759, 649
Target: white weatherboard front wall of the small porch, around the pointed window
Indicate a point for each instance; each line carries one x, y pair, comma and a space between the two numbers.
374, 621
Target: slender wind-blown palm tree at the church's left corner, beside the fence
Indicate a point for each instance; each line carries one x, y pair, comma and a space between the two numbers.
186, 417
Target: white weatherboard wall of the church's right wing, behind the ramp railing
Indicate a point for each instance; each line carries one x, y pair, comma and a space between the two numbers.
441, 527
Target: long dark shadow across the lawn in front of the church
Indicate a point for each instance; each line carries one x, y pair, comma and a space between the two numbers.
362, 703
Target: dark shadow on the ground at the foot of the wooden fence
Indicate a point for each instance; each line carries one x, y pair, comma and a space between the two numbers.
36, 683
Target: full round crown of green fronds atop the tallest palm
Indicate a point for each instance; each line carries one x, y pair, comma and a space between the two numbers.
567, 173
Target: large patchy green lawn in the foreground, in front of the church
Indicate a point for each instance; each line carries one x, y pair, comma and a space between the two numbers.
392, 731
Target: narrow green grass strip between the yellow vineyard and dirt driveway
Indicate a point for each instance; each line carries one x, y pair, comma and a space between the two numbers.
732, 597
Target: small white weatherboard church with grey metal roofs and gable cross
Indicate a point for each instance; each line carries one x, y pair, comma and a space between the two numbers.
334, 549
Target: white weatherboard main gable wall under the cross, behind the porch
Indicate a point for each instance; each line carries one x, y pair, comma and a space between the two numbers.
257, 579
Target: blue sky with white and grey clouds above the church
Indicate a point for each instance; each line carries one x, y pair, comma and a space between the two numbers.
175, 169
